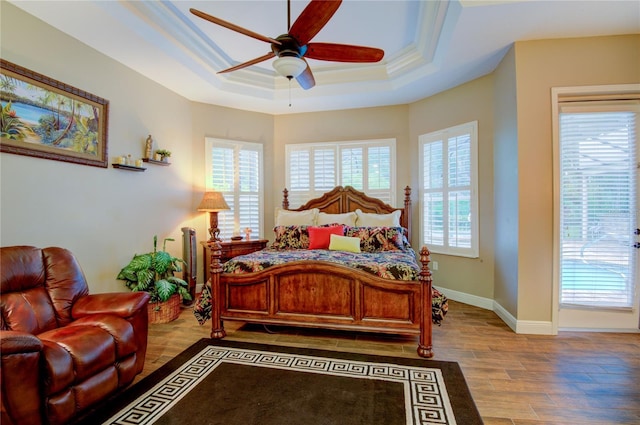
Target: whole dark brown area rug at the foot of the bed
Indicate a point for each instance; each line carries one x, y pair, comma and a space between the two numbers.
232, 383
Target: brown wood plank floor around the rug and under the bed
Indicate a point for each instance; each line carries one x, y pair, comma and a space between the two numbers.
570, 379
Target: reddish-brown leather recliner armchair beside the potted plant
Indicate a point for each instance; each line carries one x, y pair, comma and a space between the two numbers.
62, 349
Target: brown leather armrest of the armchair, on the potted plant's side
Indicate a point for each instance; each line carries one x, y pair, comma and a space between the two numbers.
123, 304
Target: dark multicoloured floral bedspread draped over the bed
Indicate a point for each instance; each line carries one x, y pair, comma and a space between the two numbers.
394, 265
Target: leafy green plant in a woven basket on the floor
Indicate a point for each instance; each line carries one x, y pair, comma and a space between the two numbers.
153, 272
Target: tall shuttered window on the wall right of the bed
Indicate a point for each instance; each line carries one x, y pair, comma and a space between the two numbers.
448, 190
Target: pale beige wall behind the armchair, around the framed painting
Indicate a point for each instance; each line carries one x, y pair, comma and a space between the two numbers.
103, 215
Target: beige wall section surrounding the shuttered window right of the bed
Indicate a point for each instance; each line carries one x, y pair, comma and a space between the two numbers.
469, 102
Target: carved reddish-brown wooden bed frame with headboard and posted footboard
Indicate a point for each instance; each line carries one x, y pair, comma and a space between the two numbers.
324, 295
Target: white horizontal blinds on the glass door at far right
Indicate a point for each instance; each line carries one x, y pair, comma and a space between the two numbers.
598, 205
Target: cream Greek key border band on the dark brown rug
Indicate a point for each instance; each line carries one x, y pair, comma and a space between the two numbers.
426, 398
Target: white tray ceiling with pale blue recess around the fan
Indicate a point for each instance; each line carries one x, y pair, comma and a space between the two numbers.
430, 46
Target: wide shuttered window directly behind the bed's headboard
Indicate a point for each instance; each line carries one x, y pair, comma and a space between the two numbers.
314, 168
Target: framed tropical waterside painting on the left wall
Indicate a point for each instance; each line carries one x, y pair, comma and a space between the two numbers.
45, 118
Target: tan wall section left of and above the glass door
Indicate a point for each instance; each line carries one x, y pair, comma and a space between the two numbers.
541, 65
